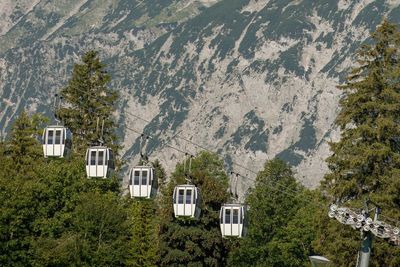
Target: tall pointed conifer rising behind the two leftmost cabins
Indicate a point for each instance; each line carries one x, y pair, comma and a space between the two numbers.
89, 101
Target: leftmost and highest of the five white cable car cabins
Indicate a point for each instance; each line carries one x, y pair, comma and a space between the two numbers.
57, 141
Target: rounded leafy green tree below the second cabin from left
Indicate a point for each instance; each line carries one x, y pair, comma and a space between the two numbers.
97, 235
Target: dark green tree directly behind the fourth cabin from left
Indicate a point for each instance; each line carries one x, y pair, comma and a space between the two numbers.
190, 242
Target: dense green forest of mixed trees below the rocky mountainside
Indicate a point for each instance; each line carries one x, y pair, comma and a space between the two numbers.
53, 215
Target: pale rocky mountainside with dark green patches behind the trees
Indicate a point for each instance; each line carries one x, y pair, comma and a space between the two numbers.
250, 80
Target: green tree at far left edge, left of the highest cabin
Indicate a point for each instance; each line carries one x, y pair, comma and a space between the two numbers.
21, 156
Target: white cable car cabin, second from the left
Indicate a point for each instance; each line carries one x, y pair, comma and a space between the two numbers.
99, 162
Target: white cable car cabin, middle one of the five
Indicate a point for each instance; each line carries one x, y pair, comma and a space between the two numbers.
142, 182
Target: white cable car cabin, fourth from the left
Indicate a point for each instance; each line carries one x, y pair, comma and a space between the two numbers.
186, 201
